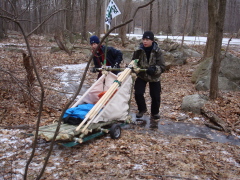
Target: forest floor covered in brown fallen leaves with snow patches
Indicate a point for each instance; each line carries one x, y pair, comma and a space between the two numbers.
140, 153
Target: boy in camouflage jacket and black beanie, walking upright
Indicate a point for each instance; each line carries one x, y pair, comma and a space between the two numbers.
150, 58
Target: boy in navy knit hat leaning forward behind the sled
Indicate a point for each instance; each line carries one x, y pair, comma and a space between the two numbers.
113, 59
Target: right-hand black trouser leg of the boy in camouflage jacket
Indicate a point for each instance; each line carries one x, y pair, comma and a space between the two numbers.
155, 93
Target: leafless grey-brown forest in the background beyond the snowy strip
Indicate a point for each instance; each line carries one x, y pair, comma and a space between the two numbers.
163, 16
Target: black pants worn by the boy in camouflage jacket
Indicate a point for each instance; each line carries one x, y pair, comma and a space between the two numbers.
155, 90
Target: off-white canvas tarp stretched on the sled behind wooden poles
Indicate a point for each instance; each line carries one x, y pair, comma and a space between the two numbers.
117, 107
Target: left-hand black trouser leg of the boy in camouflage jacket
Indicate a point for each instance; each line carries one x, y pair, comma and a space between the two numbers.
140, 86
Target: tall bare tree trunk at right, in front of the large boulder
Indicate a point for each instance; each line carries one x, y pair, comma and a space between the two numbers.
219, 8
